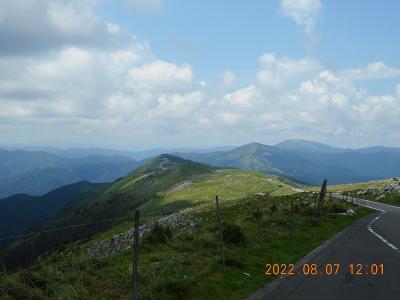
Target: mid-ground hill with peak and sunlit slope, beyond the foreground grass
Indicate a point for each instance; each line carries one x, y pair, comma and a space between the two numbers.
164, 185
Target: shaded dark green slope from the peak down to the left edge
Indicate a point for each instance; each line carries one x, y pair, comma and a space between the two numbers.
112, 202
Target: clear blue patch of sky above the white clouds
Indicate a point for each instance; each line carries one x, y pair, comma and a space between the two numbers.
218, 35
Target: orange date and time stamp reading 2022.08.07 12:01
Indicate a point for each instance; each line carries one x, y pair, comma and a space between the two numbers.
328, 269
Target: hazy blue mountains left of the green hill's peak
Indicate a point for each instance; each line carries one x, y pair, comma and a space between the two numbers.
37, 172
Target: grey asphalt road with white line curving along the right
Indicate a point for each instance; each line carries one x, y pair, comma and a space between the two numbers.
372, 240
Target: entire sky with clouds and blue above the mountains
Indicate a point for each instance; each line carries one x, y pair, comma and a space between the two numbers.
143, 73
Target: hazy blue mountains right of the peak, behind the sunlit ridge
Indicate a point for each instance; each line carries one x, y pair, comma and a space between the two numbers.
308, 162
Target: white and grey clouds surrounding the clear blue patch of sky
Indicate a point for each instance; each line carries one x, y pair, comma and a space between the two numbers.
89, 81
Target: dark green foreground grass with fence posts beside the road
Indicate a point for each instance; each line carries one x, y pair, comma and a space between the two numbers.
186, 265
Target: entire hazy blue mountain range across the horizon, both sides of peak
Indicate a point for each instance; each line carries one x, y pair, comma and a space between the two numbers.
38, 172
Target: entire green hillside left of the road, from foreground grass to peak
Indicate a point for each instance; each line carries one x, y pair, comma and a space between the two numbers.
265, 221
